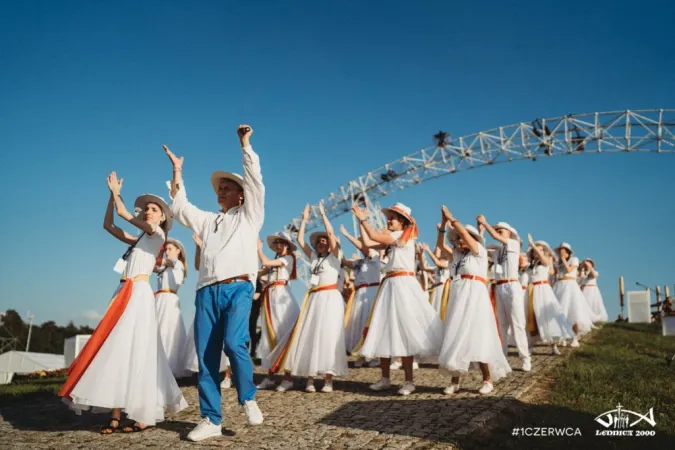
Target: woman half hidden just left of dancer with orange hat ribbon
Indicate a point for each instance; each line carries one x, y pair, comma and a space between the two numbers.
366, 282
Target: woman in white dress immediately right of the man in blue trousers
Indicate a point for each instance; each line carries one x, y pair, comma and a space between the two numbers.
279, 309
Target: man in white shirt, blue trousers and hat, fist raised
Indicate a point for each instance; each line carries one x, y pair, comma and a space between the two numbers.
227, 273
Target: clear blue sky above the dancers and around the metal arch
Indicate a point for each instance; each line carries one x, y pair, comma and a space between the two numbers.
333, 89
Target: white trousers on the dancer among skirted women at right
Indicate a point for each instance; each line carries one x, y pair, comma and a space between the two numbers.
511, 316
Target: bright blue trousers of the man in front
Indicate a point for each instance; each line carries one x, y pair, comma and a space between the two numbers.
221, 323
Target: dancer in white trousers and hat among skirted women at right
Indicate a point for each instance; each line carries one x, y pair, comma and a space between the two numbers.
508, 291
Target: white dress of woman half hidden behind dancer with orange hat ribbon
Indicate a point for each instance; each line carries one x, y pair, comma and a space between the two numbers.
366, 281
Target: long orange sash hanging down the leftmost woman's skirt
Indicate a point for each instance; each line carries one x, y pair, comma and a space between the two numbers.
115, 310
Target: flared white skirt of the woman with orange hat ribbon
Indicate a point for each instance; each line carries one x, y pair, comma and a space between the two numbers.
403, 323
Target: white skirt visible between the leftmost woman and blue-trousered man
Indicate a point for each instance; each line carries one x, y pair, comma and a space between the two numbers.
171, 330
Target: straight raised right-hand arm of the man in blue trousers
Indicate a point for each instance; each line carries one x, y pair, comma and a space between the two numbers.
254, 189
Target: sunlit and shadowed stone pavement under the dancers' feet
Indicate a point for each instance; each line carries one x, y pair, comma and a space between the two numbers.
351, 417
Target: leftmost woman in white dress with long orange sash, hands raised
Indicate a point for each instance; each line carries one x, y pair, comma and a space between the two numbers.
123, 367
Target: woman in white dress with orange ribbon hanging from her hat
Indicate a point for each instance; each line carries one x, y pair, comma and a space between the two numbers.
401, 321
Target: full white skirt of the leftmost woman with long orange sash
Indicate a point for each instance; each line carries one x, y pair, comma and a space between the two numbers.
130, 370
